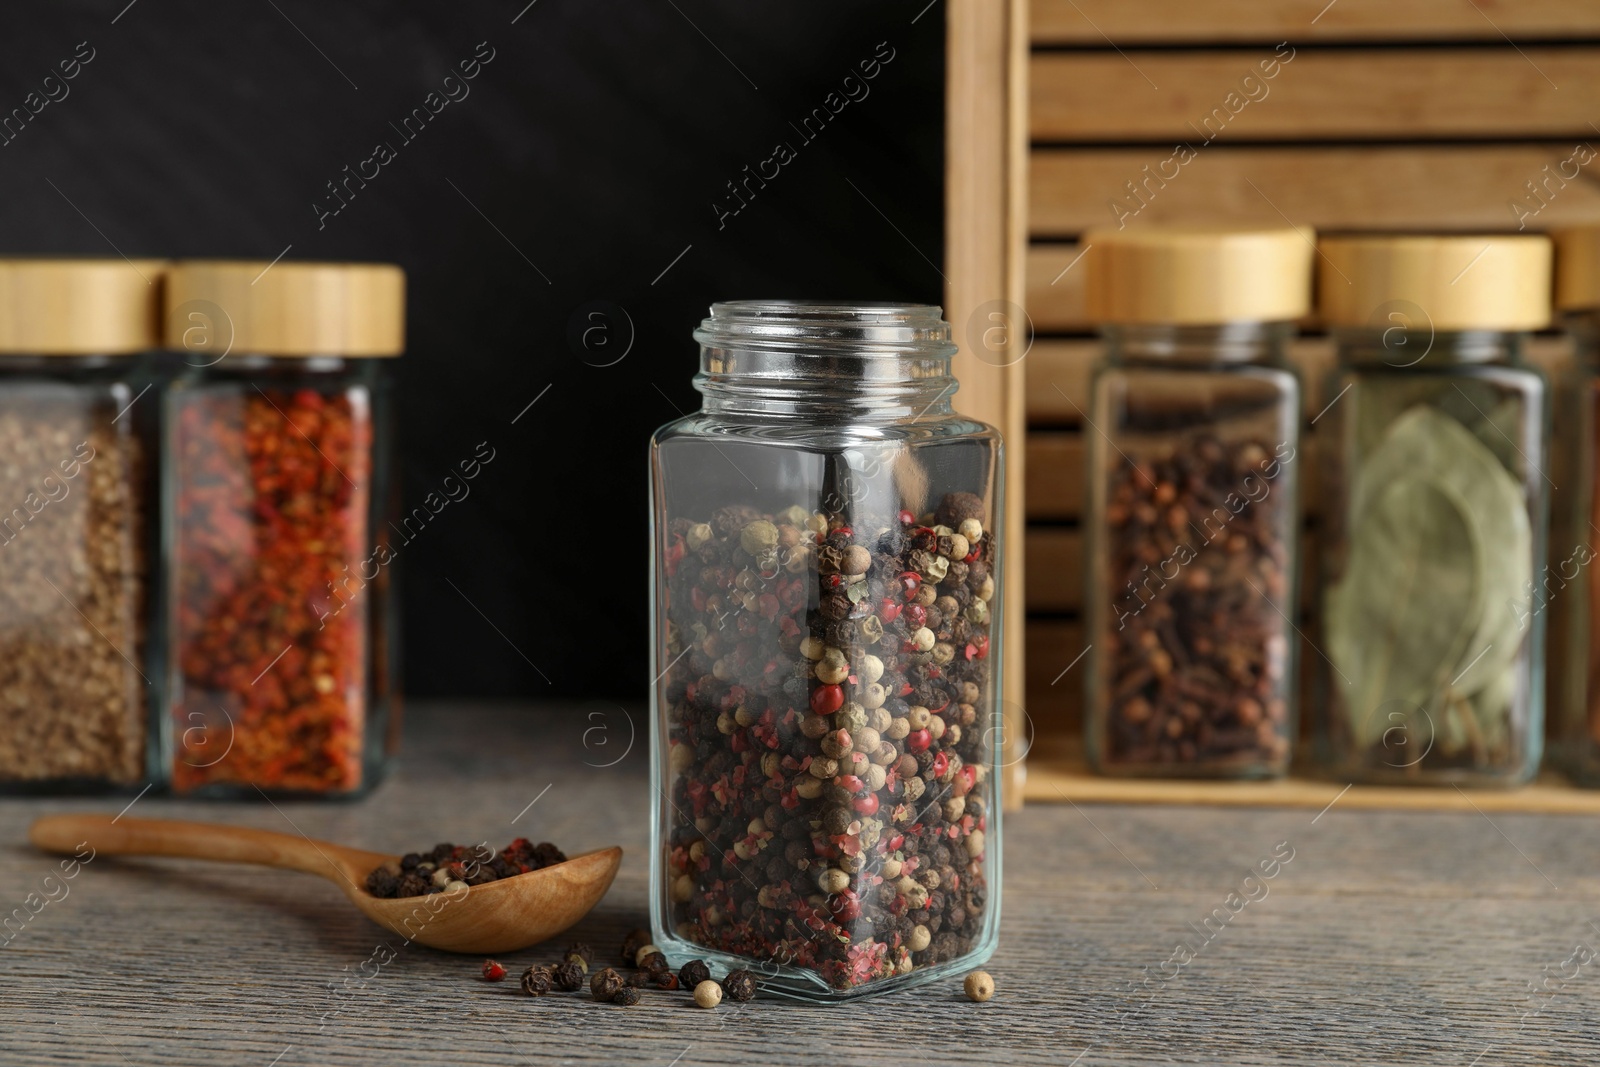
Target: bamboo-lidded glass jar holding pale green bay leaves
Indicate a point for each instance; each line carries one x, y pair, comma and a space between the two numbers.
1433, 511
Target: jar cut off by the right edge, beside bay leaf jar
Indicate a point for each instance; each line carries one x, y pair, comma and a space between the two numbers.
1570, 586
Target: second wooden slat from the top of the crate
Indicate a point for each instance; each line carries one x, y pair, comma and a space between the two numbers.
1321, 94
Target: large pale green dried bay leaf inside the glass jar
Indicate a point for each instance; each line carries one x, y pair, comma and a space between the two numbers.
1409, 602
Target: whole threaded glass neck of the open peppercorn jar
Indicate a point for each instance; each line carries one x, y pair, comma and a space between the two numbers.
863, 362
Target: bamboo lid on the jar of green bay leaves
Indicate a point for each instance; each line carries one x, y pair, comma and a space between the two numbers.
1457, 282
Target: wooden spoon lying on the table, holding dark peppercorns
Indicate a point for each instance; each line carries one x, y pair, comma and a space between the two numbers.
498, 916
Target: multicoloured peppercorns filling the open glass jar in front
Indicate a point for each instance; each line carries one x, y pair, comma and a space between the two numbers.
828, 719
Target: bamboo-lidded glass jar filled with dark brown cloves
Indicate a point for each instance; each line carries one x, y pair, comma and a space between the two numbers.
1193, 502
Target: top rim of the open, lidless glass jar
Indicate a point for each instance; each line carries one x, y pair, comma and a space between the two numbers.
855, 329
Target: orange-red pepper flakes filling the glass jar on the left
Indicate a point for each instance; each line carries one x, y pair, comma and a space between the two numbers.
271, 498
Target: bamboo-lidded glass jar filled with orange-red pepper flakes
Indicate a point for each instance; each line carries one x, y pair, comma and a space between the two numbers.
276, 527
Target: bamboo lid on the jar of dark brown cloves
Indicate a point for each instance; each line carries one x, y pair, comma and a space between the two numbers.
1196, 276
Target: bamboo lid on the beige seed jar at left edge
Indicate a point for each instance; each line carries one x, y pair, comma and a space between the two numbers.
81, 306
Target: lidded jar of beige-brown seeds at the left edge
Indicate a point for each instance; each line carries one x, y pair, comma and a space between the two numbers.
76, 503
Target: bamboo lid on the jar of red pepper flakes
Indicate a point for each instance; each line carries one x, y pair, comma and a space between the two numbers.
351, 310
